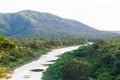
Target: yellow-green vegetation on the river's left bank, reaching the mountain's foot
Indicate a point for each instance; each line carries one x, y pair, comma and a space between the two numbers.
14, 52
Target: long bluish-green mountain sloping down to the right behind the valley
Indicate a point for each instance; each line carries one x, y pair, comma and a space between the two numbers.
33, 24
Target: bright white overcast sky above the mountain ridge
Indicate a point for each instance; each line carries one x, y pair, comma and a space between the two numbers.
100, 14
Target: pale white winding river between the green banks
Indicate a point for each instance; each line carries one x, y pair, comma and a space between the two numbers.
24, 72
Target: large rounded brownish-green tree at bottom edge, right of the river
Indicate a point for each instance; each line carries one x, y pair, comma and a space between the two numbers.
75, 70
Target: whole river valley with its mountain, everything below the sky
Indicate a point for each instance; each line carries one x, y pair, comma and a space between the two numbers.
41, 46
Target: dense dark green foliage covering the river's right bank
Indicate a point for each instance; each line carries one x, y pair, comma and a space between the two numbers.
100, 61
